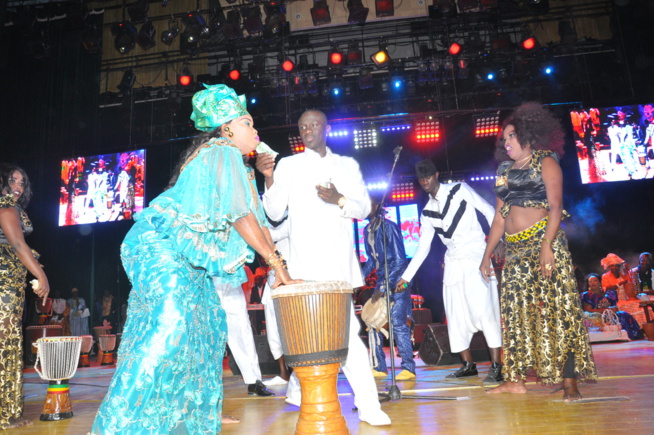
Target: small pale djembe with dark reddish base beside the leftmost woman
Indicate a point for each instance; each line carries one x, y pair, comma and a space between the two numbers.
58, 357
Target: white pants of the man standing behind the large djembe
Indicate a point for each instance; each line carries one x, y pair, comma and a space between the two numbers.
357, 371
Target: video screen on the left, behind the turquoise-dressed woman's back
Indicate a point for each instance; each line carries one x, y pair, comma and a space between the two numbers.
103, 188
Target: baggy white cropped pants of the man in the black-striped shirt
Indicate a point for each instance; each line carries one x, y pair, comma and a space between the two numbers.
471, 304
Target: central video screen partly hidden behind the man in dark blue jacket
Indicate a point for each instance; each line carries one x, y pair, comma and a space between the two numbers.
406, 216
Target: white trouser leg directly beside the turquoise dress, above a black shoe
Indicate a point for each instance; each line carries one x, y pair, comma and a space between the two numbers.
239, 331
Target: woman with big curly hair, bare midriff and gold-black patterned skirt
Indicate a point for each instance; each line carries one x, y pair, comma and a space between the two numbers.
541, 312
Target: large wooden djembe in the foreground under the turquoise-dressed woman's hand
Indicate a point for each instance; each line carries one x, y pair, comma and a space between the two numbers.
313, 320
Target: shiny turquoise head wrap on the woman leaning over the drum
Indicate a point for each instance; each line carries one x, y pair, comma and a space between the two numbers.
215, 106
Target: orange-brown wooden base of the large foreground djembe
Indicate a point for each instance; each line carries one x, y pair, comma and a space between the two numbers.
320, 412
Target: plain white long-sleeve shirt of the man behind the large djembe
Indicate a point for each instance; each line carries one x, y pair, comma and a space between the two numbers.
321, 235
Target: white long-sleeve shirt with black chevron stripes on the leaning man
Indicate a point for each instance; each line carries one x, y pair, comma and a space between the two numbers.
451, 215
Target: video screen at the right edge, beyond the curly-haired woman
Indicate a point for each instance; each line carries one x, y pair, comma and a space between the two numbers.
614, 143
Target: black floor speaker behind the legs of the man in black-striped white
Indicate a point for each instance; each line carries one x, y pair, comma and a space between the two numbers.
435, 347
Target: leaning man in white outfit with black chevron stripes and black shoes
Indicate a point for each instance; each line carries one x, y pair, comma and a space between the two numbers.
471, 305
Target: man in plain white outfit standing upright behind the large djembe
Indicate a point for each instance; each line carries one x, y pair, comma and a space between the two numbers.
322, 192
